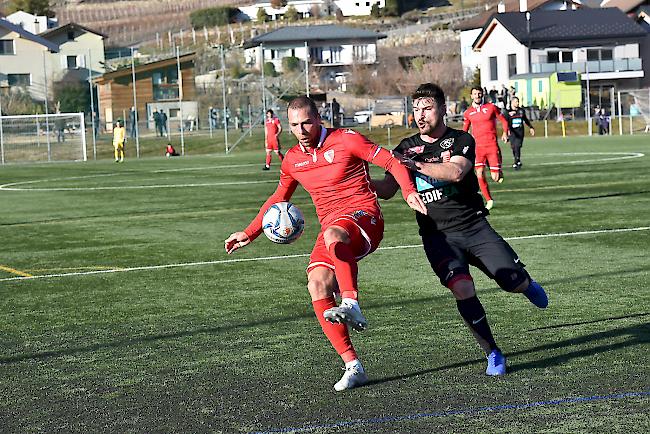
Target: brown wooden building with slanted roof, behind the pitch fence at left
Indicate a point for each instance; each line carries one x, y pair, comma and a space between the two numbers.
157, 87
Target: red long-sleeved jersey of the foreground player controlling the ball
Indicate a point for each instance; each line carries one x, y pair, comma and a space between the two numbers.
335, 175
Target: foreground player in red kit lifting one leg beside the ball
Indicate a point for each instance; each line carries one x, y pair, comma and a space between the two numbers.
332, 166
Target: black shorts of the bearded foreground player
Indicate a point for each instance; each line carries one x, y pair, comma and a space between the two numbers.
451, 253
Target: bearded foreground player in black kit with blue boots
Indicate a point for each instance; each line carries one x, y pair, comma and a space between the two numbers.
455, 232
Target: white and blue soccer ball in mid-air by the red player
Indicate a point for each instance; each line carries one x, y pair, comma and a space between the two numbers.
283, 223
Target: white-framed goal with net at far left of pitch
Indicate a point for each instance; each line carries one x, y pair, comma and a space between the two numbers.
52, 137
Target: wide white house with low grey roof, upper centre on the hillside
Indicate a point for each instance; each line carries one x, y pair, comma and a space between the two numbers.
333, 49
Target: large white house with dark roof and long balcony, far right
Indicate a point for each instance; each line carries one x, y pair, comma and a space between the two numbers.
602, 46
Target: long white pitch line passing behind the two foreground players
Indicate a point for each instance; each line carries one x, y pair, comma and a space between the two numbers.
302, 255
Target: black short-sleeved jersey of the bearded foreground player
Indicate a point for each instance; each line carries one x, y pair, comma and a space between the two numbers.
450, 205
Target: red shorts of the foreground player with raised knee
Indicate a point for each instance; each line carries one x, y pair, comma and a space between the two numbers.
365, 230
